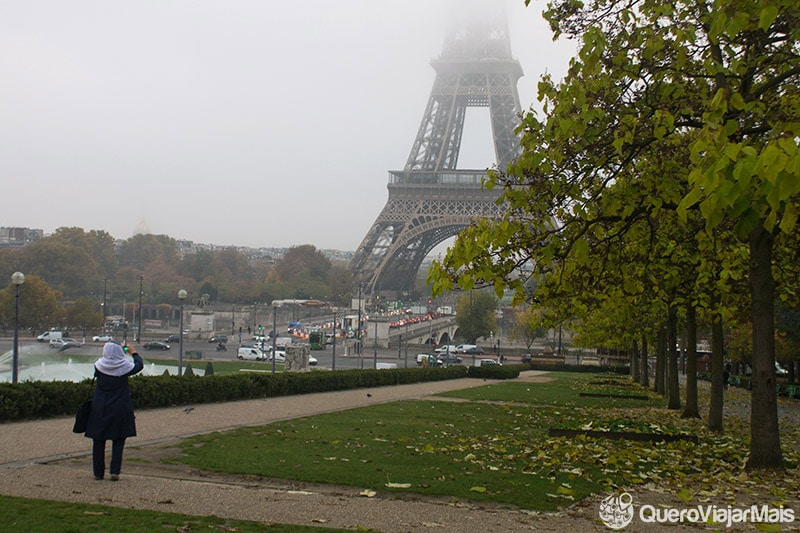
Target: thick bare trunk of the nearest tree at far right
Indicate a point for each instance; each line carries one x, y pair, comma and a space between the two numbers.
765, 441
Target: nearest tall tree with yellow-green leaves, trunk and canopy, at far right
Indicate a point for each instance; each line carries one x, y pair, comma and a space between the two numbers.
716, 83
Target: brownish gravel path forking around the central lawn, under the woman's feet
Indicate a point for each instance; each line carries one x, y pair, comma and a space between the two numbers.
43, 459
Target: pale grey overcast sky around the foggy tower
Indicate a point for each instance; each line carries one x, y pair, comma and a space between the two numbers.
229, 122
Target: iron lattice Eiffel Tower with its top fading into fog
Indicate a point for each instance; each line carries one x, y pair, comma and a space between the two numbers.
432, 200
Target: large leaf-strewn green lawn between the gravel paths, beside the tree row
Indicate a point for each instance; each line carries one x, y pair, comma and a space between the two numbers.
493, 445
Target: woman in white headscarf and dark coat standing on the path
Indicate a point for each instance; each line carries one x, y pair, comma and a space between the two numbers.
111, 417
